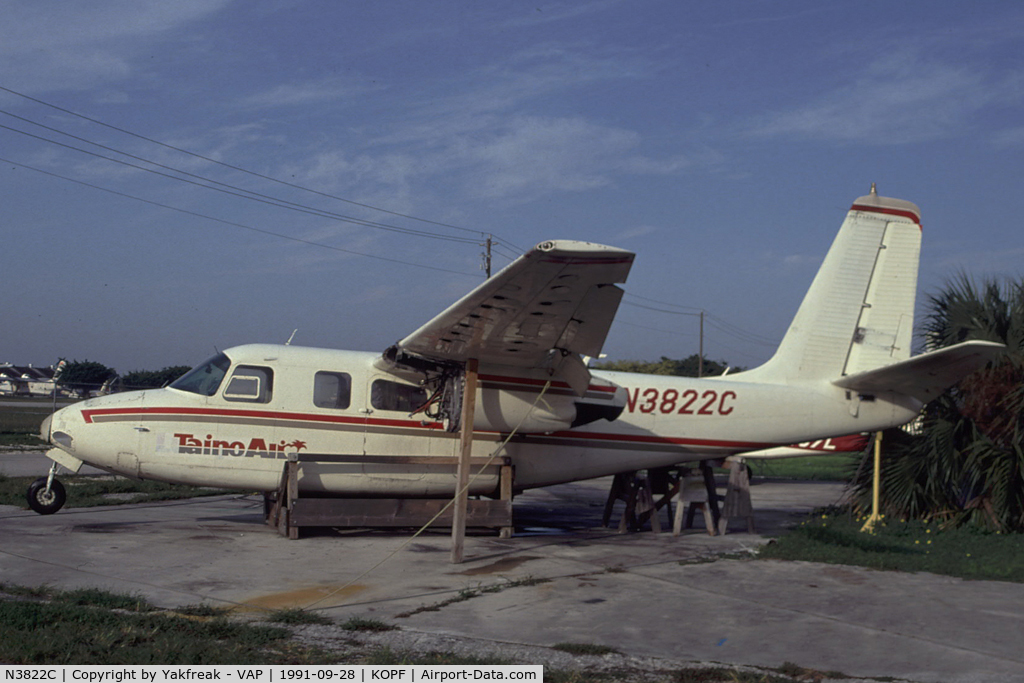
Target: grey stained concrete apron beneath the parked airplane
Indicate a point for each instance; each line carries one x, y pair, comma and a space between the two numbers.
563, 579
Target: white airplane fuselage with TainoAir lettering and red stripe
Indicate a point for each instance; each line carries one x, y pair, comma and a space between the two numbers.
357, 424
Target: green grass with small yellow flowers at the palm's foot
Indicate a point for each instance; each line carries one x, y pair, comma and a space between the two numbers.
835, 537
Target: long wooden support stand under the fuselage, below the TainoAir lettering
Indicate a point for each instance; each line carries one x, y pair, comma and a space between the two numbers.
289, 511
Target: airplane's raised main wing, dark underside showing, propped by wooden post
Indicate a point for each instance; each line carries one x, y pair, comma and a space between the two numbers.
560, 296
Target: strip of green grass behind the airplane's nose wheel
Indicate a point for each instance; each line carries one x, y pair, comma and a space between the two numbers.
88, 492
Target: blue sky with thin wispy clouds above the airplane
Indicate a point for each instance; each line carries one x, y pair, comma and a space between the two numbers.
723, 143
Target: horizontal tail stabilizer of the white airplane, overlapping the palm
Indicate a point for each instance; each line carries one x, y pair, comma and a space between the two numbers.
928, 375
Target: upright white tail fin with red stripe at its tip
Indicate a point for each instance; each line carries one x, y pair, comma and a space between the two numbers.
859, 315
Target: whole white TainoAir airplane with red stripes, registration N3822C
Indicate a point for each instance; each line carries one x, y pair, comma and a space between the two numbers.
844, 367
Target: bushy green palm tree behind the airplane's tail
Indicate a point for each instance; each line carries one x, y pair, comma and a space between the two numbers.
965, 464
